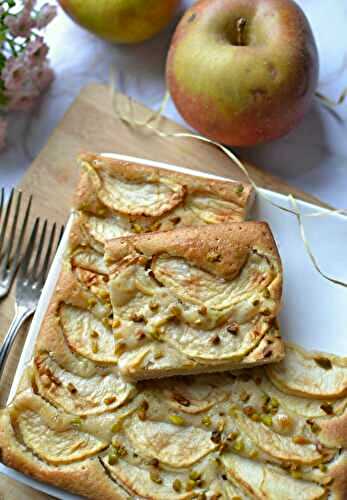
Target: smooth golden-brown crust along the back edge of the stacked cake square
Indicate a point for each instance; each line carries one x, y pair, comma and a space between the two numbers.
221, 249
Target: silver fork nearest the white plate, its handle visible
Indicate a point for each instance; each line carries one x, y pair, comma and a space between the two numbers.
32, 274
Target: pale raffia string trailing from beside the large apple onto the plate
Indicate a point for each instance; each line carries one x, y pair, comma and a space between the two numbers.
152, 124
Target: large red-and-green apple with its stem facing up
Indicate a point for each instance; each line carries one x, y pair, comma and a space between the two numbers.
243, 72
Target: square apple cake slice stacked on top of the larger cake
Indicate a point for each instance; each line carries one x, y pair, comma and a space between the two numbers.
195, 299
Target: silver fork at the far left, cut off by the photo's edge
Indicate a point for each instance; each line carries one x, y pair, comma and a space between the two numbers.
10, 253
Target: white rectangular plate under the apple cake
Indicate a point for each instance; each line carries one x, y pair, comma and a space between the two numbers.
314, 312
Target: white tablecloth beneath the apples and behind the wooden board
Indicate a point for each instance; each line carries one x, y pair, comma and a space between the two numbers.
312, 157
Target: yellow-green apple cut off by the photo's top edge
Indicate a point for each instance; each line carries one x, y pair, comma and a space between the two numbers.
122, 21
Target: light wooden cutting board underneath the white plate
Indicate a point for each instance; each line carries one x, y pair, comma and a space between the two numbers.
90, 125
